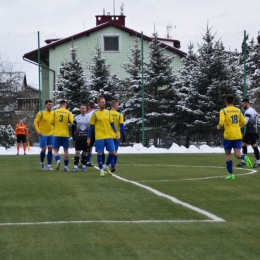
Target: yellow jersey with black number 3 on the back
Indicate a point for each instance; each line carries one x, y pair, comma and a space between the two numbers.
60, 121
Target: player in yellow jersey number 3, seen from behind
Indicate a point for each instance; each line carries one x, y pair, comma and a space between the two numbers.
60, 121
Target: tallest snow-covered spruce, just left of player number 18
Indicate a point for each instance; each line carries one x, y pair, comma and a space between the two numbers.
212, 79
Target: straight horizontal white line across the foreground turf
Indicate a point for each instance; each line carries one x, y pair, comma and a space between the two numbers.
103, 221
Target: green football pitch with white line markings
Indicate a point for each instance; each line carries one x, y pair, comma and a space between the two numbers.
156, 206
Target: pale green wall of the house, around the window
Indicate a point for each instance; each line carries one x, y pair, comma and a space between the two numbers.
86, 49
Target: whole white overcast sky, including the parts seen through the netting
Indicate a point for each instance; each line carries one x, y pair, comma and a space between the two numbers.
20, 20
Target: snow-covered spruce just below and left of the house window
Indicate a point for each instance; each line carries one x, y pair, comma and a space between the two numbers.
101, 82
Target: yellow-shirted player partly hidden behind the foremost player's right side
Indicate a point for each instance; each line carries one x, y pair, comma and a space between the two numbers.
119, 123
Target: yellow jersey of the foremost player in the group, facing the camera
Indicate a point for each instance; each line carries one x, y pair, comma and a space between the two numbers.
101, 120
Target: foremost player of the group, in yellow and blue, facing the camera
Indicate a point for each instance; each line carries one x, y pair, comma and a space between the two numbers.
105, 131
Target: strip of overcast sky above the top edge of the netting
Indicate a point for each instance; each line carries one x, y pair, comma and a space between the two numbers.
67, 17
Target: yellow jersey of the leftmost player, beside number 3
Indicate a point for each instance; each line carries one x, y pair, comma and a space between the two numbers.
42, 122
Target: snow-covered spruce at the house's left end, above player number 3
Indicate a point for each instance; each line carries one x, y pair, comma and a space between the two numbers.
71, 81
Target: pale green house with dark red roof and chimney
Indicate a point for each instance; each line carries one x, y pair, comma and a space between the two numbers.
111, 34
